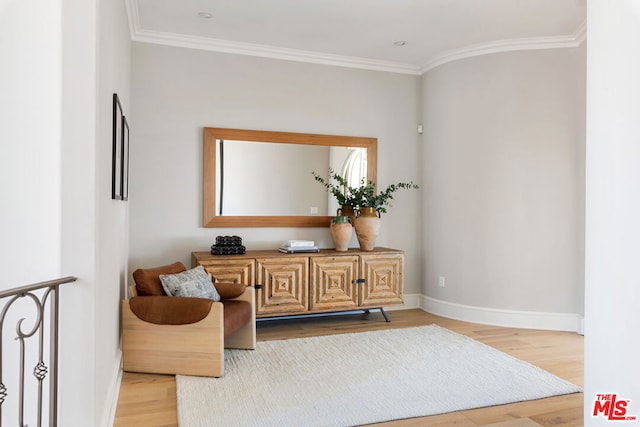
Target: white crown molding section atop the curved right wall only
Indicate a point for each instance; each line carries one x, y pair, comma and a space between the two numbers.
532, 43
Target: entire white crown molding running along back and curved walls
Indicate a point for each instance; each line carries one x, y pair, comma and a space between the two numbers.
239, 48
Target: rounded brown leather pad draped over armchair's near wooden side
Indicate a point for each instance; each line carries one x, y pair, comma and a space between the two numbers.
163, 310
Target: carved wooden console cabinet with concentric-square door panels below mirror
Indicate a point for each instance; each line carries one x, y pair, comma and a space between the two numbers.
327, 281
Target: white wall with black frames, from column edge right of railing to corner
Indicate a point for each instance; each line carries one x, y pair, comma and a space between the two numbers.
96, 52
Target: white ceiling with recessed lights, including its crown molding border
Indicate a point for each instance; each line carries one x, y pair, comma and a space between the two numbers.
361, 33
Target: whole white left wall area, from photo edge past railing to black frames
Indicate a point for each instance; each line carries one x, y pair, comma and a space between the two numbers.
59, 69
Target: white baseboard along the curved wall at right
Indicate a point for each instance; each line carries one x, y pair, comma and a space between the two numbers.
509, 318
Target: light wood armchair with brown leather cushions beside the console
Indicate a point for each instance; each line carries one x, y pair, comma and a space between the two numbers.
172, 335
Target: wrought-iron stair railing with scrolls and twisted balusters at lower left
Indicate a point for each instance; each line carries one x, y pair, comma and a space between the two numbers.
40, 370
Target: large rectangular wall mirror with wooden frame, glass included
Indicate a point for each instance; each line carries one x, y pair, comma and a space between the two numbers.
264, 179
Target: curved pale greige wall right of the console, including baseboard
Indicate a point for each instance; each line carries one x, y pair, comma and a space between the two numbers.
503, 168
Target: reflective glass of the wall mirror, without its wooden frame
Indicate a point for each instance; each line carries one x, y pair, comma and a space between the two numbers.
280, 182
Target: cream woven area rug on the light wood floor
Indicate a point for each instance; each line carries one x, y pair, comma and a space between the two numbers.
360, 378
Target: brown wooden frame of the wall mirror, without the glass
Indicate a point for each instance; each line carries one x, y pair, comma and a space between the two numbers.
211, 135
